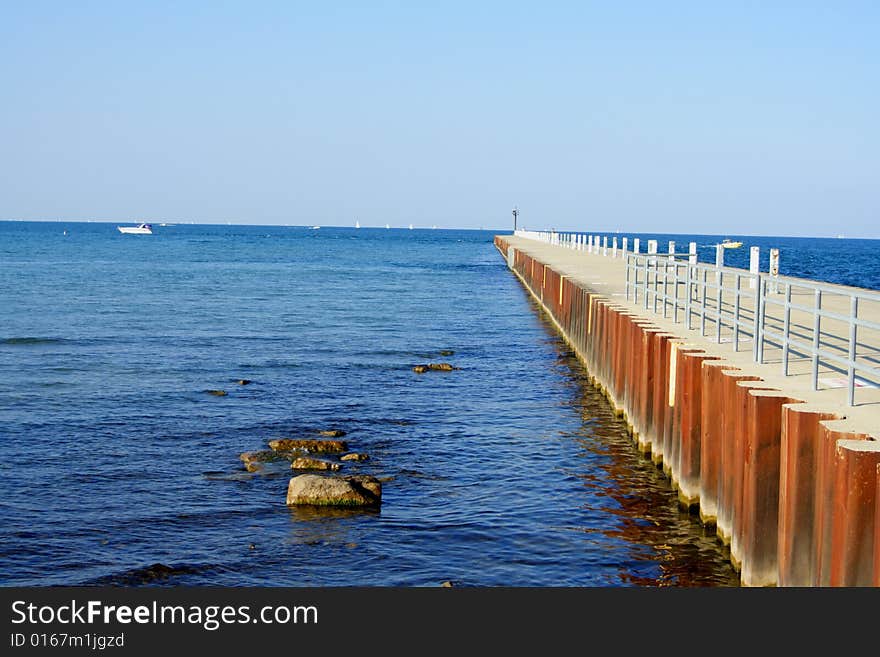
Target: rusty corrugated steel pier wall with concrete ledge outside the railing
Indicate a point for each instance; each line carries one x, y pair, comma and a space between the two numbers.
788, 476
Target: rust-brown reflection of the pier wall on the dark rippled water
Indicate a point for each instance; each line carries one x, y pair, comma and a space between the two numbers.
671, 547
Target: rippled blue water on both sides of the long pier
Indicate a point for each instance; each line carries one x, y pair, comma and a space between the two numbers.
121, 456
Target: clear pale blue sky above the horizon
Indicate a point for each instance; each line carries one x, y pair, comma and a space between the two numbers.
737, 118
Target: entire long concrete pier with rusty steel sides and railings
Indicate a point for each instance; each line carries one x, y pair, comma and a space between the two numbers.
755, 394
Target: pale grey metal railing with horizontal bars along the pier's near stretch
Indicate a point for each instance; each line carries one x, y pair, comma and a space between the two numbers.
737, 306
